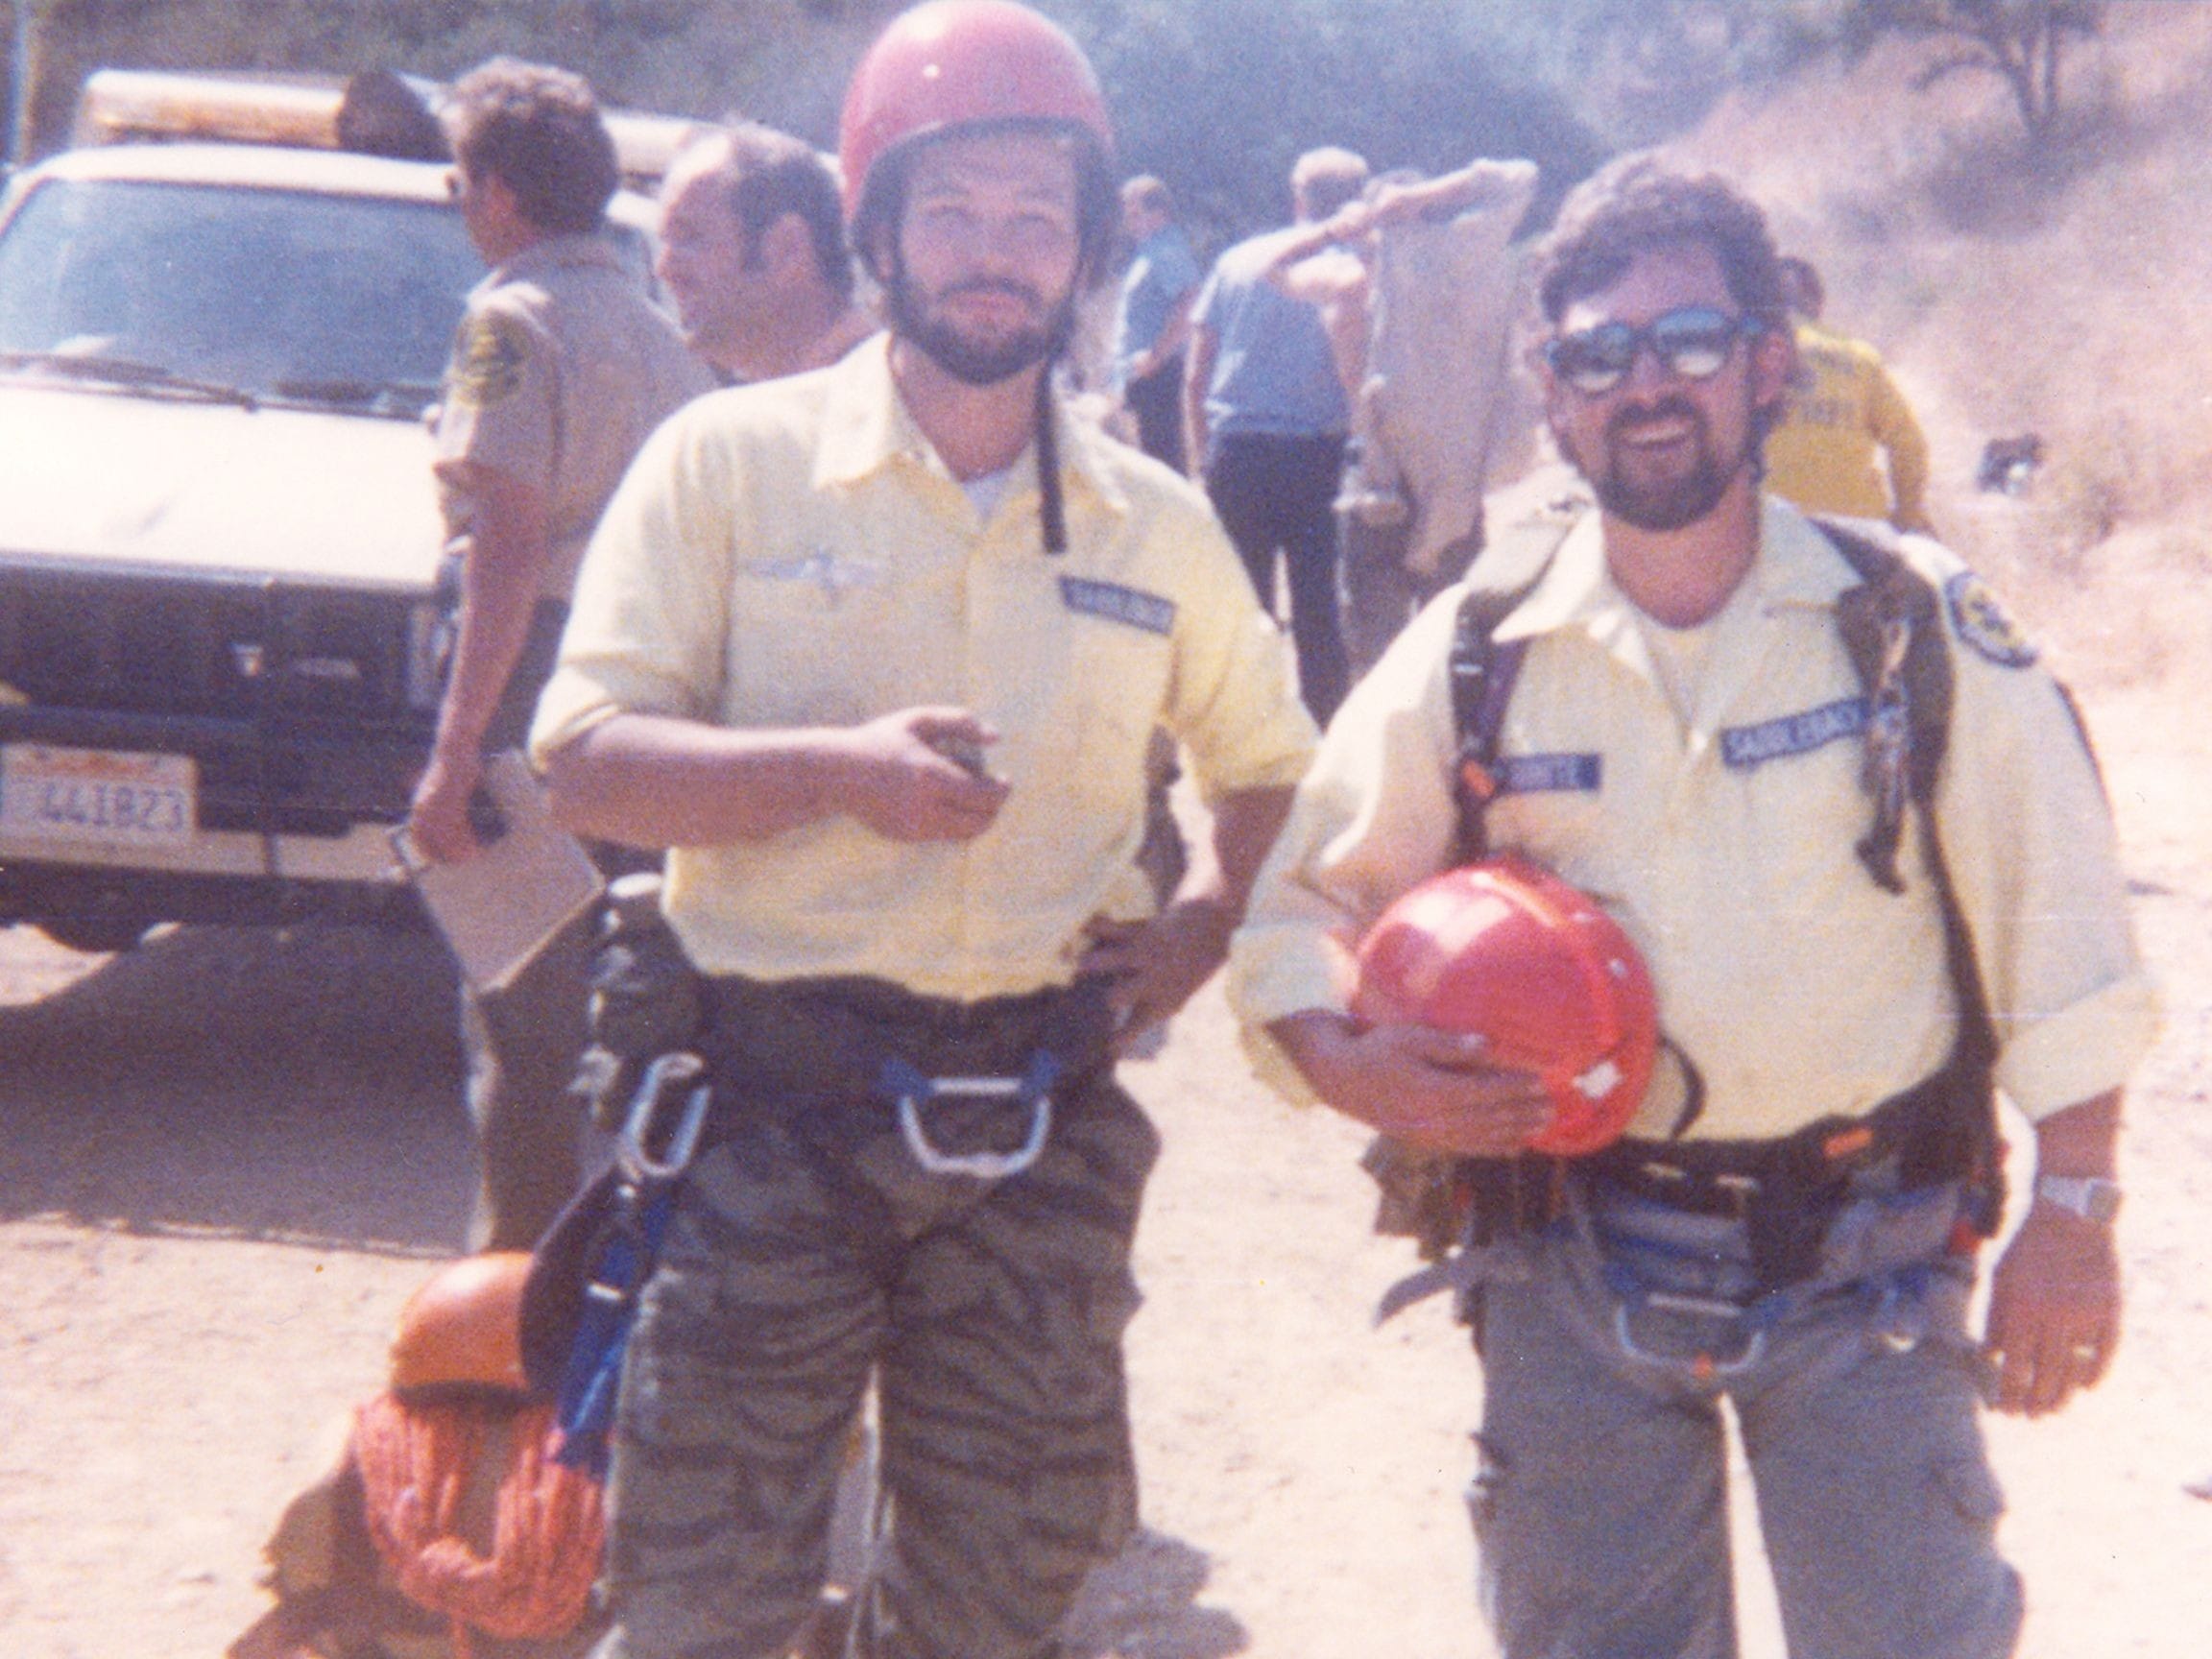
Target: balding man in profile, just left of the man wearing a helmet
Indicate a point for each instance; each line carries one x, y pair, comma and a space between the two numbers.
753, 255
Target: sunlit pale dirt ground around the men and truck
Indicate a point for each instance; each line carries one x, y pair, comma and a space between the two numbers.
229, 1158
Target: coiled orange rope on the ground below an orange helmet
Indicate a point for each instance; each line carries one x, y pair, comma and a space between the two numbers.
547, 1525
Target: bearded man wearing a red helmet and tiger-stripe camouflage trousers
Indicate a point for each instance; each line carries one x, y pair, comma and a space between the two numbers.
877, 654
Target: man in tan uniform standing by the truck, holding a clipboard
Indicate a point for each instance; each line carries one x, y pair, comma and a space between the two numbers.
561, 368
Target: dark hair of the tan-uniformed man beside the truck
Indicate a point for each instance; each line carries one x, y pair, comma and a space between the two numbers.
539, 132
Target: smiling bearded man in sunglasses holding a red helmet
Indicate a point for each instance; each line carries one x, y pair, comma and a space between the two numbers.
1861, 846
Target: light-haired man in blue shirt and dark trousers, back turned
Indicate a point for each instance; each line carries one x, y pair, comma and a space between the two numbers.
1266, 419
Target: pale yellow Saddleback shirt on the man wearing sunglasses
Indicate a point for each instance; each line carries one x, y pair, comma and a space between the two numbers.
1724, 842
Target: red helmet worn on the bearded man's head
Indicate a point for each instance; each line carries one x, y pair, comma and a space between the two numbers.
963, 63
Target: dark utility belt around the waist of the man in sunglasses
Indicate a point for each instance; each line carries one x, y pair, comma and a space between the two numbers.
1786, 1191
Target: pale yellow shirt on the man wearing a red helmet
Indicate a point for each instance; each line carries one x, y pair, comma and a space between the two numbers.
795, 554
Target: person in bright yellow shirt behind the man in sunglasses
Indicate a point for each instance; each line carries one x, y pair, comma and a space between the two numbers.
1844, 408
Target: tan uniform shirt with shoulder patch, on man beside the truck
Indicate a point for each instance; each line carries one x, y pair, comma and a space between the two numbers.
561, 368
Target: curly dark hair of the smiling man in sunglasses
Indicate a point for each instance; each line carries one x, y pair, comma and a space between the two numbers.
1636, 205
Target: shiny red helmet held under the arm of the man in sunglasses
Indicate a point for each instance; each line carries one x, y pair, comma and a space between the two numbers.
1541, 972
